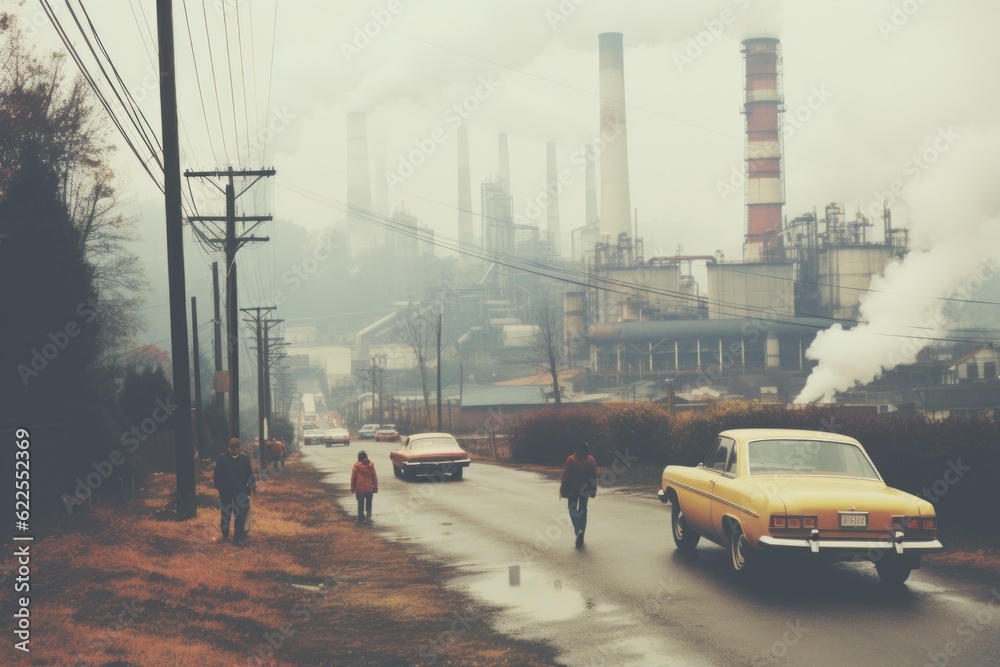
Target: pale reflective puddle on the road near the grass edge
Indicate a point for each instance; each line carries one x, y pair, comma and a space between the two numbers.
529, 593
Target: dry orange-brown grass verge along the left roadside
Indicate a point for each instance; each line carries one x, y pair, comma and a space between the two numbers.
133, 587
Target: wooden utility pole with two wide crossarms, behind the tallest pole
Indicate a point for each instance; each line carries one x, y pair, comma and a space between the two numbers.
229, 242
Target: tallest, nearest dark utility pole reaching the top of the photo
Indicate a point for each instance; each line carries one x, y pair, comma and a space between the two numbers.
175, 261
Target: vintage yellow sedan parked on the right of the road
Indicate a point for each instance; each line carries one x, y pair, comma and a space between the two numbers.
793, 491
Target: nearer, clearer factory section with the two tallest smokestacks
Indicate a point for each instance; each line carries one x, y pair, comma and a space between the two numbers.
646, 318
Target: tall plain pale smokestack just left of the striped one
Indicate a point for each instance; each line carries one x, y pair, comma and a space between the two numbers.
616, 208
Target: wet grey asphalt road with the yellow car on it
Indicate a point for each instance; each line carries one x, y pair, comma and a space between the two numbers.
628, 598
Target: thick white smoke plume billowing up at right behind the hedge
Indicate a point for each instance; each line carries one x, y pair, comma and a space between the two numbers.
955, 227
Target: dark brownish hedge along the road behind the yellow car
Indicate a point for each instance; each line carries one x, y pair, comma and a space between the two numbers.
951, 462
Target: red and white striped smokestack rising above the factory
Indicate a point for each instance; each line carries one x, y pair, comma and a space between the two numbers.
765, 186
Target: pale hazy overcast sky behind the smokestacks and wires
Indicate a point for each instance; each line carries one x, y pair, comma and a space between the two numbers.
875, 92
